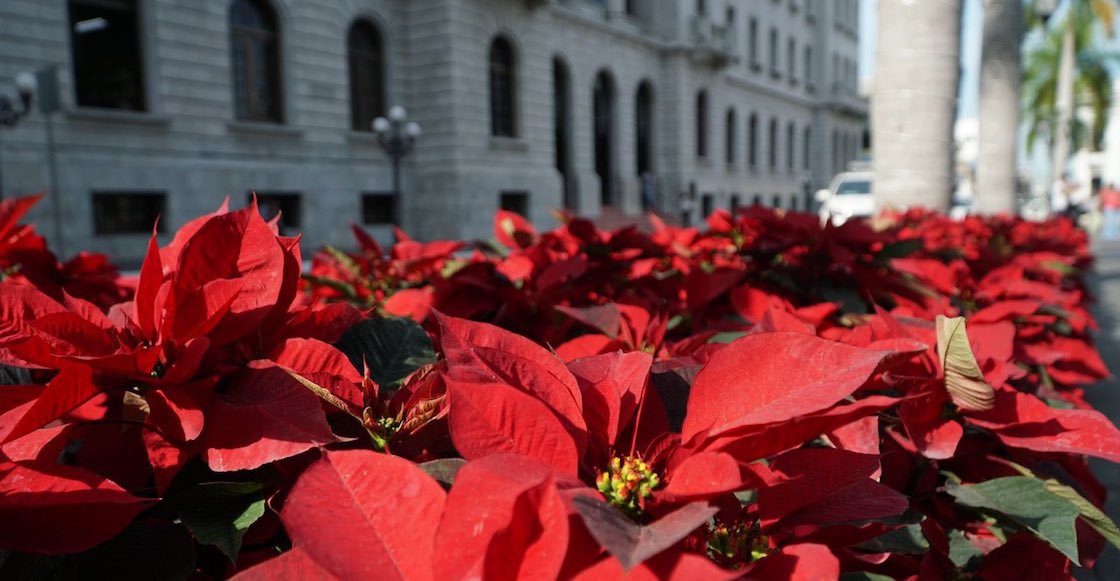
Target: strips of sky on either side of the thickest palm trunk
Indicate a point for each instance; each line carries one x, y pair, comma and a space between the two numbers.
972, 34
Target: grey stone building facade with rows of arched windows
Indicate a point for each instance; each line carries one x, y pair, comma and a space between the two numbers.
170, 107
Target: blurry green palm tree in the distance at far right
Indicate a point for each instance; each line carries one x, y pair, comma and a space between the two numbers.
1091, 88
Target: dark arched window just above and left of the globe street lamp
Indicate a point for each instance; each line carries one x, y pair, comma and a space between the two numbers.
368, 80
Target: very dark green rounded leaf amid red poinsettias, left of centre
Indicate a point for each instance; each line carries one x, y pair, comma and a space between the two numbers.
393, 348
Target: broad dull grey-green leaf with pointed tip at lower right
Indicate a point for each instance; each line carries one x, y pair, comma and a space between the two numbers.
1029, 504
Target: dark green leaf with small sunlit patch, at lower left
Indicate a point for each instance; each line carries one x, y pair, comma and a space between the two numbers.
219, 514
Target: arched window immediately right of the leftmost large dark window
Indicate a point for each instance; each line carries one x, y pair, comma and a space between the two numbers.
256, 46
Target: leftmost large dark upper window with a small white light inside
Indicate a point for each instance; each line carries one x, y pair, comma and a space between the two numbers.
106, 50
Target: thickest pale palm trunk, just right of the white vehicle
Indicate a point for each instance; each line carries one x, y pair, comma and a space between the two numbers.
914, 104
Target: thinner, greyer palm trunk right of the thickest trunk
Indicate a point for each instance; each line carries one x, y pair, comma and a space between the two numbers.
1001, 78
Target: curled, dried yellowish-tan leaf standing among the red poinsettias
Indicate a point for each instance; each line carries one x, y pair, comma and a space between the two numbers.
964, 379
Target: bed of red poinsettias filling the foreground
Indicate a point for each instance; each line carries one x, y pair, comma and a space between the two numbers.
770, 399
